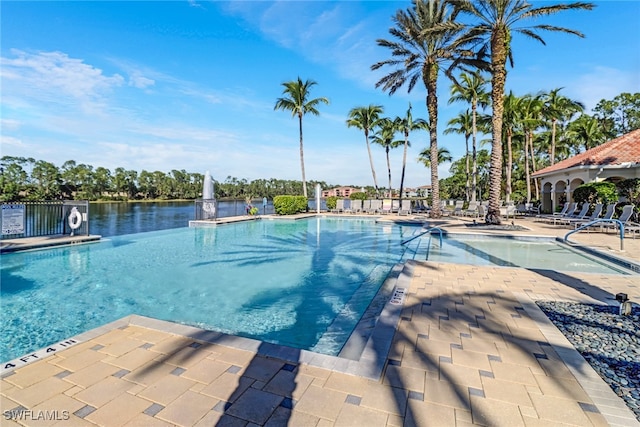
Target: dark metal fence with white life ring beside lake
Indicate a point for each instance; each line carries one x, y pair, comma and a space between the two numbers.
46, 218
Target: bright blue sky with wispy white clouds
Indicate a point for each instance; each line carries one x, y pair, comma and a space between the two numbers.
192, 85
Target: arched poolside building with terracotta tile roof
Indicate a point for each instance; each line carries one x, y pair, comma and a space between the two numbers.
613, 161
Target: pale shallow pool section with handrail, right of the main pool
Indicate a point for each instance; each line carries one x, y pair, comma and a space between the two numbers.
544, 254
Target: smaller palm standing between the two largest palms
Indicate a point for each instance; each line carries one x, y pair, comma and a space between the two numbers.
472, 89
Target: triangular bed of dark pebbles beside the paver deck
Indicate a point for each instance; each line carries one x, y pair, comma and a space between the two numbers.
608, 341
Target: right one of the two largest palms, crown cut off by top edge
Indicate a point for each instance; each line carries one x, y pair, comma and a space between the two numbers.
496, 23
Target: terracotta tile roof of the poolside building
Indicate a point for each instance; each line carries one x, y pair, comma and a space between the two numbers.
624, 149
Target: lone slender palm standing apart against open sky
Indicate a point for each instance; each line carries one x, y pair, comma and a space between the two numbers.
296, 100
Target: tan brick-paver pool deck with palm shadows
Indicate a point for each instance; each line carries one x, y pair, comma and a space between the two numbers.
471, 348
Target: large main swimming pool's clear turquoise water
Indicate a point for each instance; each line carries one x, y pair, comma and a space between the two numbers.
284, 282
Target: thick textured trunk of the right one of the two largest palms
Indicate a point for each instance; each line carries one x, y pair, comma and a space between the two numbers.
498, 77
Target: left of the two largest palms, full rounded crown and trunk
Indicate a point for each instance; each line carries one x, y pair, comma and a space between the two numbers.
425, 40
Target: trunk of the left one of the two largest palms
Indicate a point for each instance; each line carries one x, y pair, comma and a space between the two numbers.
431, 76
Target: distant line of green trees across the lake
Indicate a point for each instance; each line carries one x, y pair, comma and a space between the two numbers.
23, 179
